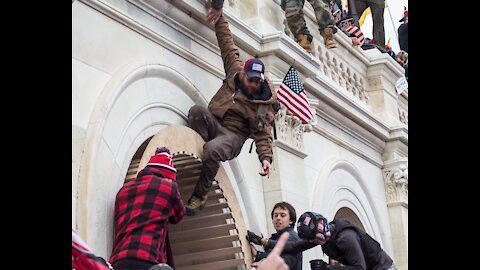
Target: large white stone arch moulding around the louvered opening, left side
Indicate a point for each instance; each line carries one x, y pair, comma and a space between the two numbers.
131, 108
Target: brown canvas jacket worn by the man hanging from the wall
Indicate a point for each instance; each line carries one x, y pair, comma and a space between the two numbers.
232, 108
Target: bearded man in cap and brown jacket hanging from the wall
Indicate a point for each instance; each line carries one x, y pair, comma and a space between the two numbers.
242, 108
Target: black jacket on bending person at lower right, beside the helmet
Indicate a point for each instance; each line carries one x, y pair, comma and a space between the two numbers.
354, 248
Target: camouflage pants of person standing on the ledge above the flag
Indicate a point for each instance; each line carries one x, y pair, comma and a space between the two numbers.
296, 20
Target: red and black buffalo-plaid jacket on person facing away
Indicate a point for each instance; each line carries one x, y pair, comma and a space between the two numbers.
143, 209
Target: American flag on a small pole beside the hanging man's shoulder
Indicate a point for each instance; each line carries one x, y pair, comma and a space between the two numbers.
292, 95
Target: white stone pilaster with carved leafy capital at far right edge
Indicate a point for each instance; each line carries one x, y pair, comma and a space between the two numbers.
396, 190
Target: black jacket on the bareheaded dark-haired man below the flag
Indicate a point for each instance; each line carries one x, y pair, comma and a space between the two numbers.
293, 259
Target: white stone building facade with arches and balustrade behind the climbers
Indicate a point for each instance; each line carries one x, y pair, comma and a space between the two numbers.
138, 66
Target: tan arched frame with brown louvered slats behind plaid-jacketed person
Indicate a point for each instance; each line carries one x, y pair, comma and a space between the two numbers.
212, 237
